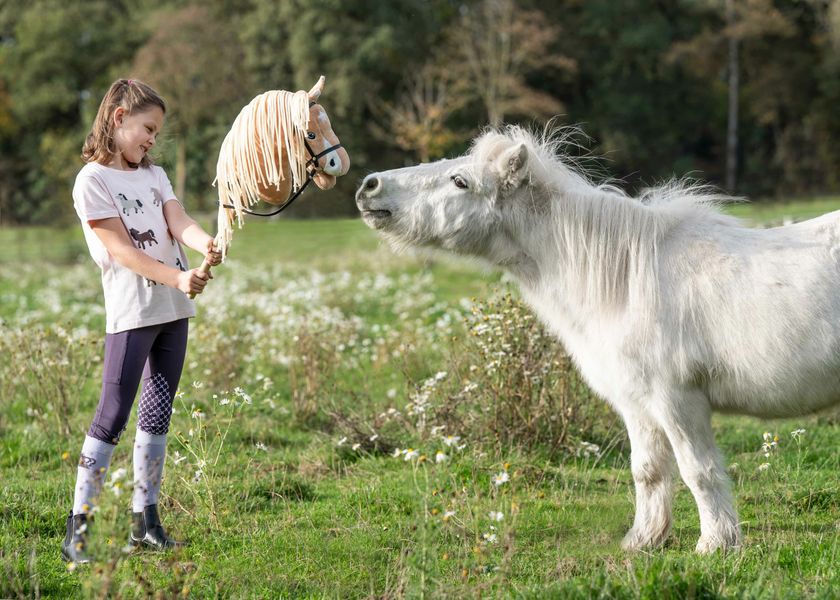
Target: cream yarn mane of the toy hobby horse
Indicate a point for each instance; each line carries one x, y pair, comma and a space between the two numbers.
251, 154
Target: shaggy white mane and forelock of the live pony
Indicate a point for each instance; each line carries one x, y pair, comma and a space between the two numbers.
607, 242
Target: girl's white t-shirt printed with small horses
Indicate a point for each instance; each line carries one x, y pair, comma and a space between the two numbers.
137, 197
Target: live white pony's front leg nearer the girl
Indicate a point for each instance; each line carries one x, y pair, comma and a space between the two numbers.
651, 461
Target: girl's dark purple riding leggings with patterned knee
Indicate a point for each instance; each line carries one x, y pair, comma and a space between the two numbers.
157, 352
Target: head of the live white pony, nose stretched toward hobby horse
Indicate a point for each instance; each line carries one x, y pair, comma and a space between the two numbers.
468, 205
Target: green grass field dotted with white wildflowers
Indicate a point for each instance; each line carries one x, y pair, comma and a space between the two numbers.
354, 424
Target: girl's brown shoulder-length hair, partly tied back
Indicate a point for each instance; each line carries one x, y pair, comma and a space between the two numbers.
134, 96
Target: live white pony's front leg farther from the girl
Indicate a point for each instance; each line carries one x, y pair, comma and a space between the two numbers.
686, 419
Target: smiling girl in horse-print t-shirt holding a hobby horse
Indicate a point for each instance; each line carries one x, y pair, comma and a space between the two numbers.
134, 225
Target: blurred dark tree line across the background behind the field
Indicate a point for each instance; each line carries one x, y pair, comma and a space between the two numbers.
741, 93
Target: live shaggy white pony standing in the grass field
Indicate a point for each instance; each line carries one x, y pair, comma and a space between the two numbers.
669, 308
